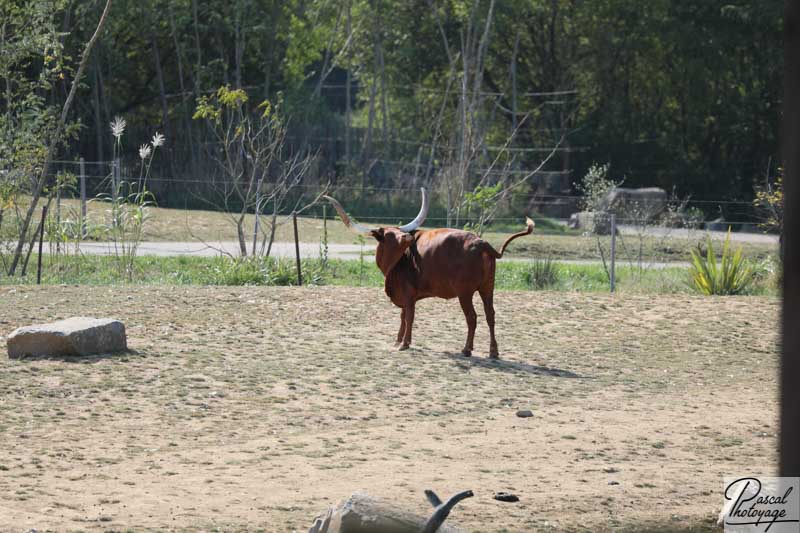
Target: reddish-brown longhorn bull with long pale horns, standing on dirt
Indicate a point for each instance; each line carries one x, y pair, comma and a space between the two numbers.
442, 263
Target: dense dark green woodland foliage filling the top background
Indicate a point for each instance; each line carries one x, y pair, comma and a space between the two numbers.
675, 93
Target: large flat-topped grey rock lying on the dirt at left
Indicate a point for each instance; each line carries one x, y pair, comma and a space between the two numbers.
73, 336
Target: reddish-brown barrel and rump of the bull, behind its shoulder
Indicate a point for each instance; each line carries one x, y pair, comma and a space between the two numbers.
452, 262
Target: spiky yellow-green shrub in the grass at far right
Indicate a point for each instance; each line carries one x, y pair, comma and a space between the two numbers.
734, 275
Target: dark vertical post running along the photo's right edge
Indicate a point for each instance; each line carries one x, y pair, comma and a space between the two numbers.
790, 357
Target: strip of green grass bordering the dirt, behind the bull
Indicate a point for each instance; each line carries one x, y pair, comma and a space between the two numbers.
188, 270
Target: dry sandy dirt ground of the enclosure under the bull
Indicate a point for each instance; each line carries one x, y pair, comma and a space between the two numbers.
242, 409
